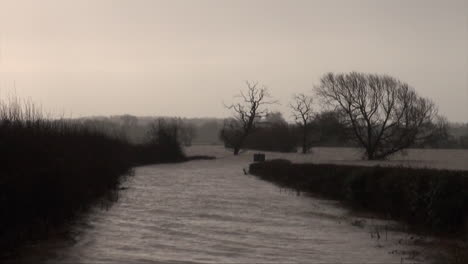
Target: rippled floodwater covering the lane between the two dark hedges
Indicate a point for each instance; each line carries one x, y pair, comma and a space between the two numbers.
211, 212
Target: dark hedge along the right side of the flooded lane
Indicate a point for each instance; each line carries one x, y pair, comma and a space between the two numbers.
428, 199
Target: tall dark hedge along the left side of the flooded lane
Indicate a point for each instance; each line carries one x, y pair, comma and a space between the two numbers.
51, 170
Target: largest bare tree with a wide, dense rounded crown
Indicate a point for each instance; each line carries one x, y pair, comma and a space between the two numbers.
385, 114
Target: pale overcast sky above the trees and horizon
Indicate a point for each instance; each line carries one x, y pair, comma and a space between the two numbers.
184, 58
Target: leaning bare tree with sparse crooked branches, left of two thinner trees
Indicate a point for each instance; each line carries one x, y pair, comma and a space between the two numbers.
245, 114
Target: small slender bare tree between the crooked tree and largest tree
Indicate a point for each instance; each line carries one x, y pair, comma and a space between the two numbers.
303, 113
